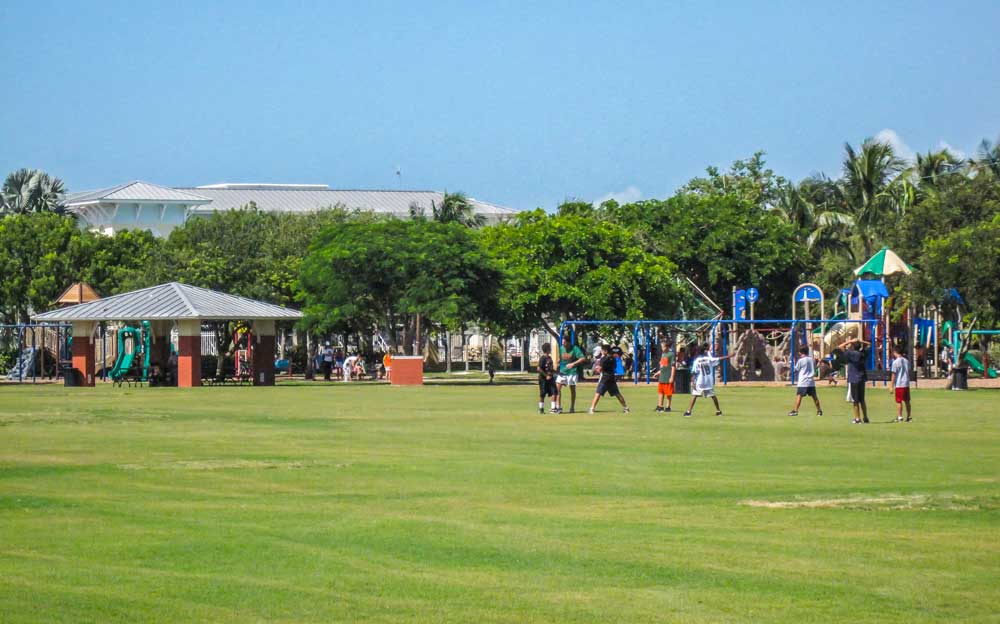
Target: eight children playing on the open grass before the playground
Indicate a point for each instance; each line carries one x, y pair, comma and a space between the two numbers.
554, 376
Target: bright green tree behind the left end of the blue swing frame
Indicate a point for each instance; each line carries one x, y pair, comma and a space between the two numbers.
566, 266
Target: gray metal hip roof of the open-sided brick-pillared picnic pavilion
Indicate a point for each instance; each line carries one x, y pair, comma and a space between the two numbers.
171, 301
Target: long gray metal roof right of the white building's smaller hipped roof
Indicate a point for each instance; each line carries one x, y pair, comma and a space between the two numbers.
310, 200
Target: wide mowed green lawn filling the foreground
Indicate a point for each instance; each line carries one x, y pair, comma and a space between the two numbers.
339, 502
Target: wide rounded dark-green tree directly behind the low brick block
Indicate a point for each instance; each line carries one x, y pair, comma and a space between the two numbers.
369, 273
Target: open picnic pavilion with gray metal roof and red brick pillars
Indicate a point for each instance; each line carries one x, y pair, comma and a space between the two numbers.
168, 306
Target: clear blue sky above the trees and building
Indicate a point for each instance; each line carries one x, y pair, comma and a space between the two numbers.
523, 104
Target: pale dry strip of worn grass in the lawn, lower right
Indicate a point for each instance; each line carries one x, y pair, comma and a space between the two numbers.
916, 502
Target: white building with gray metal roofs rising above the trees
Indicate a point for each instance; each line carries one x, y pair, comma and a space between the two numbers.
144, 206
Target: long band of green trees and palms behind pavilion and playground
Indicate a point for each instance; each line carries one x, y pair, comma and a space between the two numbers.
445, 269
